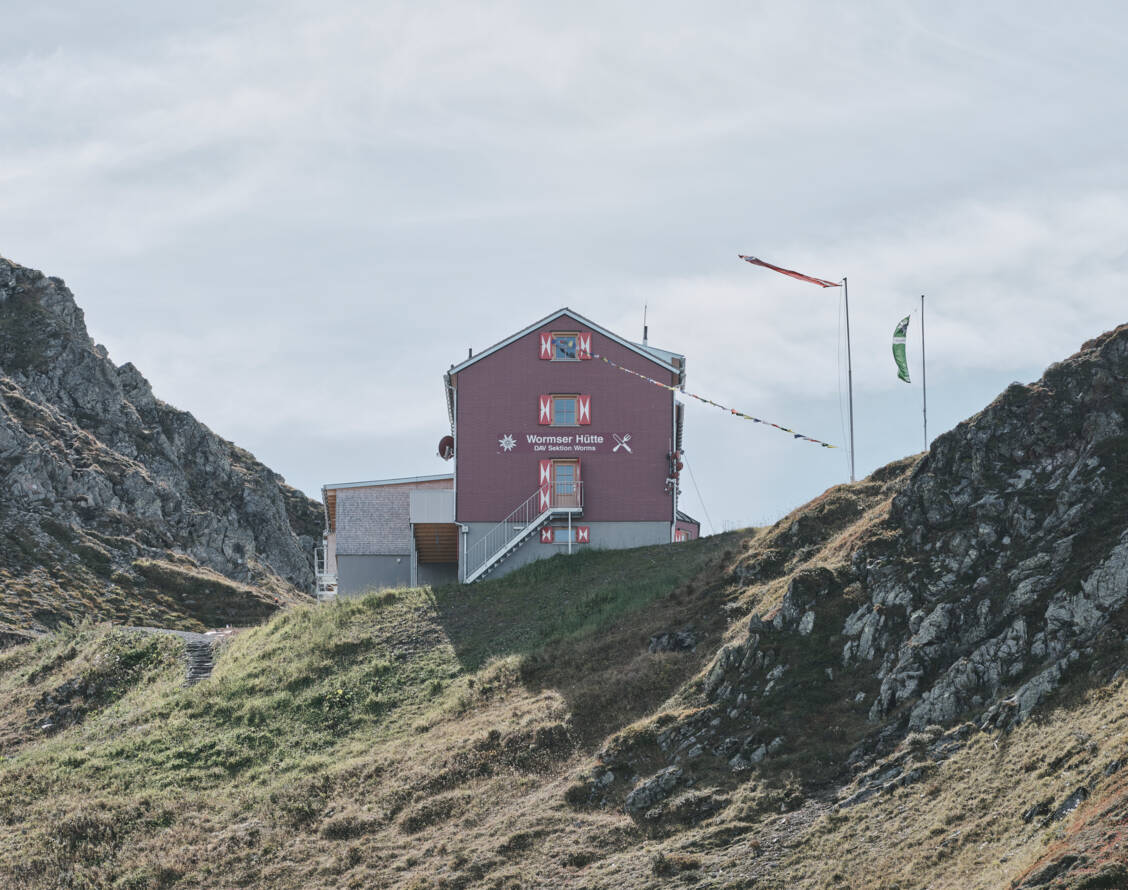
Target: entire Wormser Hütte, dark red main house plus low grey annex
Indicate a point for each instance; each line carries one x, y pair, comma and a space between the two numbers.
554, 448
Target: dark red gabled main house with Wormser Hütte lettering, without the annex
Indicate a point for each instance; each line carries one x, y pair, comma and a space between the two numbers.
557, 448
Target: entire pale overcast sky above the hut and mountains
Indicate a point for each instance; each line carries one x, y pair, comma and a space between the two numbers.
294, 216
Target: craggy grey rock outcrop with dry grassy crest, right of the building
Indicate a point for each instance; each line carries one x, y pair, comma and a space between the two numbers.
963, 588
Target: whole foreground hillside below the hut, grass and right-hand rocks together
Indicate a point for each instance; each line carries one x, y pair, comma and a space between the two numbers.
916, 681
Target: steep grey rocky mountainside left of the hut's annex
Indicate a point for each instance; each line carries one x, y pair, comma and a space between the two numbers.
100, 480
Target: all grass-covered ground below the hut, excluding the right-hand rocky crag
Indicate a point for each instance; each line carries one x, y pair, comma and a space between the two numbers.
433, 739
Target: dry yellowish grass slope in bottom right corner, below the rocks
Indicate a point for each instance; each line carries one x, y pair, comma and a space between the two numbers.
964, 826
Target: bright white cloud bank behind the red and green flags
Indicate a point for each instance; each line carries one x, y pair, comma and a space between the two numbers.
1009, 286
